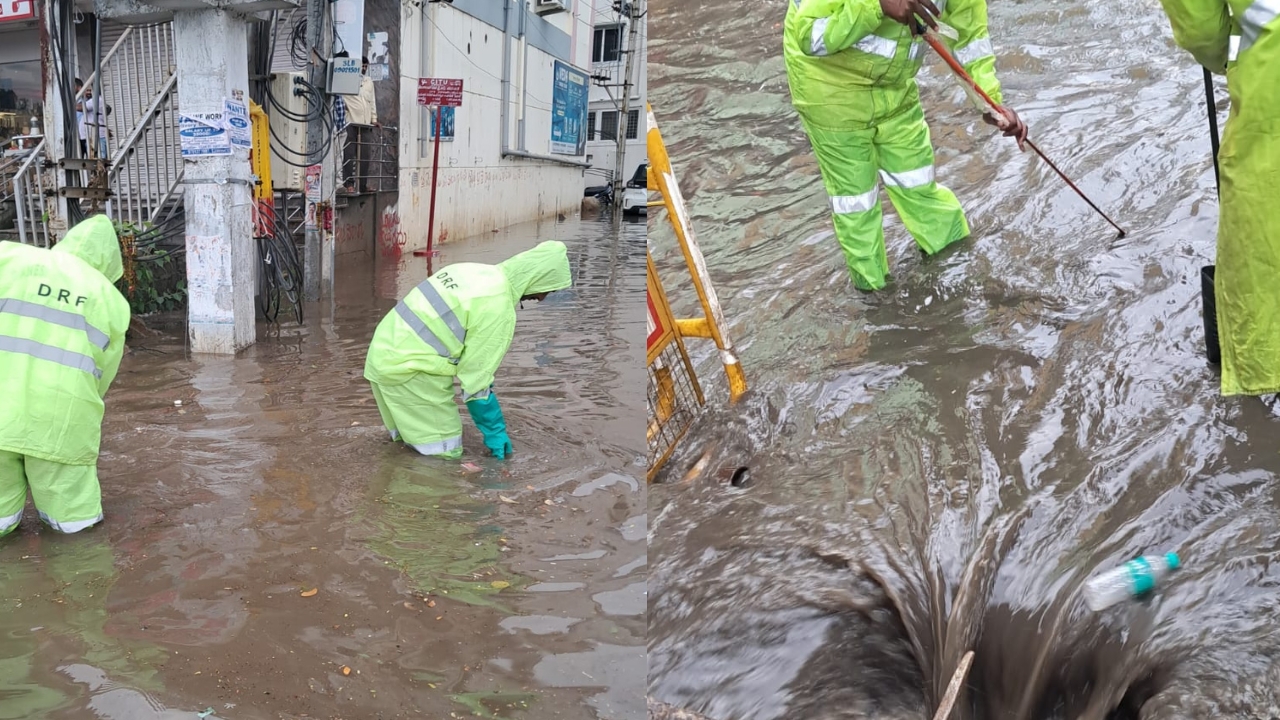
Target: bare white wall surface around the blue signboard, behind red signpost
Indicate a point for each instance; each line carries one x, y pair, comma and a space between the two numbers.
479, 189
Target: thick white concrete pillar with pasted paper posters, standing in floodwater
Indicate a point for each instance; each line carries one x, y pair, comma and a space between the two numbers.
212, 49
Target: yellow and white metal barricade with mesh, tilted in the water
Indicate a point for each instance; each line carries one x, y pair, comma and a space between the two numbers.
675, 395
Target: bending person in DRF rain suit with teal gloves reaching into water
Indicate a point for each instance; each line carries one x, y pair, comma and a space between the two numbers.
458, 323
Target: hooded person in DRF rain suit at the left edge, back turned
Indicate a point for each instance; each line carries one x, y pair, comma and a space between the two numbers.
62, 338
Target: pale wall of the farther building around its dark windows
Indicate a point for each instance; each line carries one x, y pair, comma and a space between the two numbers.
604, 153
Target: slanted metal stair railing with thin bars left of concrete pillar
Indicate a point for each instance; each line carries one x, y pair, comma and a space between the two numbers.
147, 172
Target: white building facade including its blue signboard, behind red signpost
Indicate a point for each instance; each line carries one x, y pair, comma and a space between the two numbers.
516, 148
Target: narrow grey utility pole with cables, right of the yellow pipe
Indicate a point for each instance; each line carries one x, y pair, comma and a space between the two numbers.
318, 45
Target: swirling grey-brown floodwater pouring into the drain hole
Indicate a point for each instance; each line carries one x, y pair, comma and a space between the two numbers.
939, 467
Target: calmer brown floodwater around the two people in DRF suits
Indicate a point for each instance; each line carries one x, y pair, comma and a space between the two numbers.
269, 554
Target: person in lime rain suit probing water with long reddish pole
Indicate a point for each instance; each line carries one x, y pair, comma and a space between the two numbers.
852, 69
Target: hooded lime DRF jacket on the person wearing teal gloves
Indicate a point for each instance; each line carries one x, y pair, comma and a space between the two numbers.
461, 321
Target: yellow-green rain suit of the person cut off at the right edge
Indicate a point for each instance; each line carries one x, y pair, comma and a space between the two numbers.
1242, 39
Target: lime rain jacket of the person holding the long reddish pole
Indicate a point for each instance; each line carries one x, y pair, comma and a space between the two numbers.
839, 52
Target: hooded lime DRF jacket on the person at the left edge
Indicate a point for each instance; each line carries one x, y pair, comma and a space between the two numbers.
62, 338
